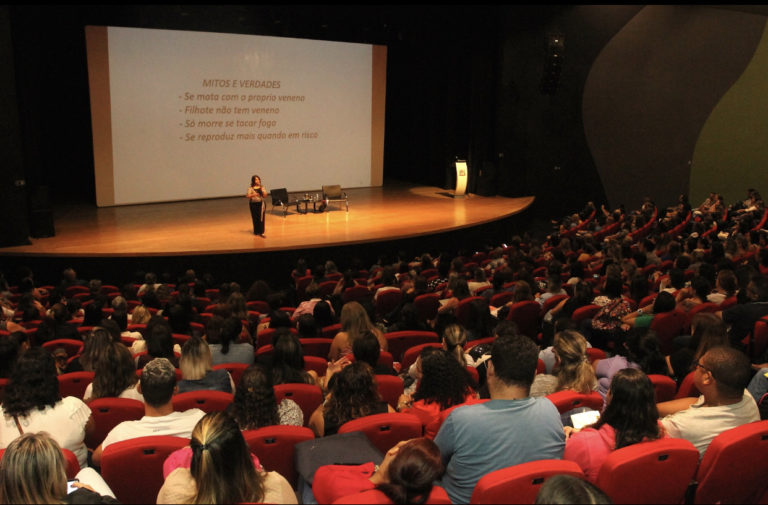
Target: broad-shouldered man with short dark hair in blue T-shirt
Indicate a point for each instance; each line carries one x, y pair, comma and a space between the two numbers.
509, 429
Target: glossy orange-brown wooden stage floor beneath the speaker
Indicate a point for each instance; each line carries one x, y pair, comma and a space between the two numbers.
223, 225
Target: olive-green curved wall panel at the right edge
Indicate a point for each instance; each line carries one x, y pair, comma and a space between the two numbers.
732, 153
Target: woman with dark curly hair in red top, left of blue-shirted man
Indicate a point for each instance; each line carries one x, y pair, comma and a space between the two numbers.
443, 383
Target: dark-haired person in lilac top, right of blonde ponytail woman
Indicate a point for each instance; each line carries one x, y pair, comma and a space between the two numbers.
641, 350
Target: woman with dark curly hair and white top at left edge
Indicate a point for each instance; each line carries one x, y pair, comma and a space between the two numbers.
32, 403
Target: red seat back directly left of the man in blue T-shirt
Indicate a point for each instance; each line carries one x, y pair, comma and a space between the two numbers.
385, 430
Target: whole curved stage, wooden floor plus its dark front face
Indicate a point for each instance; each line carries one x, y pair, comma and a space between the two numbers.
215, 236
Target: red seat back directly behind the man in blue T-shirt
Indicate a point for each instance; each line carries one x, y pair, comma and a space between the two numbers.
521, 481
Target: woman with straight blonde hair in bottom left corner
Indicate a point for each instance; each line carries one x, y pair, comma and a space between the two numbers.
33, 470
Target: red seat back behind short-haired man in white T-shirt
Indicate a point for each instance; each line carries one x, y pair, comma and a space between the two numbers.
133, 468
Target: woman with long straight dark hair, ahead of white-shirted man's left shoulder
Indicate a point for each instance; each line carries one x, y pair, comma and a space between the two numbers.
114, 375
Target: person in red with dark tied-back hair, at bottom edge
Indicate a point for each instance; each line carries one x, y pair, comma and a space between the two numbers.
405, 475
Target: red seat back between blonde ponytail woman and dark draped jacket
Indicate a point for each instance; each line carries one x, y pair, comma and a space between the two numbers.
274, 445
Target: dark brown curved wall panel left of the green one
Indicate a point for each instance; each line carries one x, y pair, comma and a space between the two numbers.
651, 90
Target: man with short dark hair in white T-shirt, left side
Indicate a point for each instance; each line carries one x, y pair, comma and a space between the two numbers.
157, 385
